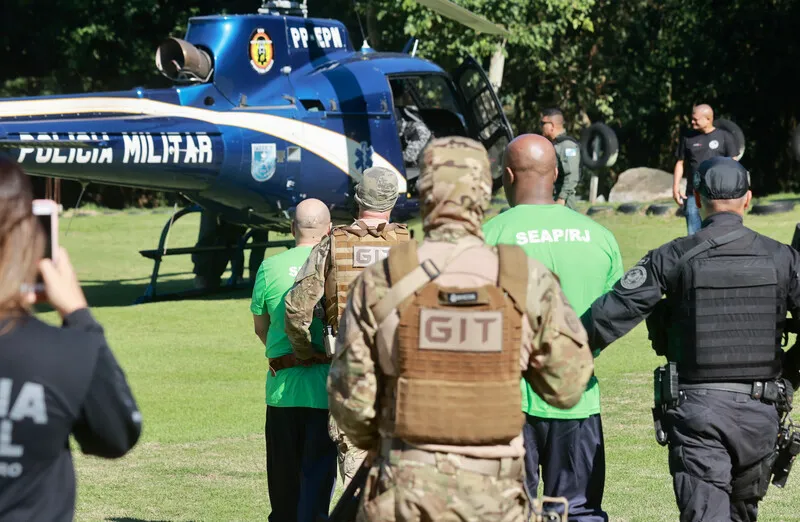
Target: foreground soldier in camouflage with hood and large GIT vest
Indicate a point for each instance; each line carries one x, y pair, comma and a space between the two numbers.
434, 402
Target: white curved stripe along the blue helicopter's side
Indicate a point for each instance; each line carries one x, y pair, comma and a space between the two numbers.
331, 146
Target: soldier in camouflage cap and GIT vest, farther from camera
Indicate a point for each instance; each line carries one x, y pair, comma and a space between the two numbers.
365, 241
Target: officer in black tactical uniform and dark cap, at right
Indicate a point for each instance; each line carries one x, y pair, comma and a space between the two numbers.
728, 290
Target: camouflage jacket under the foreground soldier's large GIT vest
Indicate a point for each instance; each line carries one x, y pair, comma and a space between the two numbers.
554, 356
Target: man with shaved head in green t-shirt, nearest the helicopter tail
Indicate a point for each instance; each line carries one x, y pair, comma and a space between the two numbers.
301, 457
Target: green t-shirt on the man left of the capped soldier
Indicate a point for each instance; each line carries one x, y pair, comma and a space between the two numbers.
292, 387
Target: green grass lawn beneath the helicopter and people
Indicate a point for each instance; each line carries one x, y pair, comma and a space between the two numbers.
197, 371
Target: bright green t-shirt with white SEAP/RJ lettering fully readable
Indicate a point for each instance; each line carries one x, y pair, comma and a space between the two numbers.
586, 258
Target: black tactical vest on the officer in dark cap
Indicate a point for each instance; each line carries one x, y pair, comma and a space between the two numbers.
725, 321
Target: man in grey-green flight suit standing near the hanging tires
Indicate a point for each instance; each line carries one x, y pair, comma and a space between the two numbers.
569, 157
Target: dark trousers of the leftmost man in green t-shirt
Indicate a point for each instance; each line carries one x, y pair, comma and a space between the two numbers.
301, 464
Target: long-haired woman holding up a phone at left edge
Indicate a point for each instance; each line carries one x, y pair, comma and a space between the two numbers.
54, 382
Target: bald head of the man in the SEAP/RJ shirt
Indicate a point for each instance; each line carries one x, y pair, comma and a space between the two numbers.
530, 170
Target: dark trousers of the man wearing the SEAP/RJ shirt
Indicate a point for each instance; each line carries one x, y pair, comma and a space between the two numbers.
573, 461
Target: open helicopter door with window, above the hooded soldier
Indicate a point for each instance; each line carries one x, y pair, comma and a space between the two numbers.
487, 122
